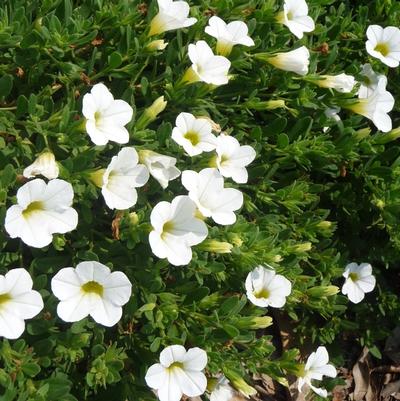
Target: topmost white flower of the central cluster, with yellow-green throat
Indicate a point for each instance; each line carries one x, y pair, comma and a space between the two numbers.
194, 134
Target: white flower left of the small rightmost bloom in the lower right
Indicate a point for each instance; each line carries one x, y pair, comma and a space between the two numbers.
266, 288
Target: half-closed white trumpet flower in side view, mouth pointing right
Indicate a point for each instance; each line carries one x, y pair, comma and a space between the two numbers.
295, 61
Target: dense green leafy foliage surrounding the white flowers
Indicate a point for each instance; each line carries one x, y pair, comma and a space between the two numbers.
315, 201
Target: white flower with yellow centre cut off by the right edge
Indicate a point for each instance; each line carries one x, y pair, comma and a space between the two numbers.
384, 44
